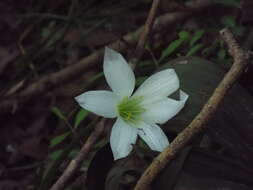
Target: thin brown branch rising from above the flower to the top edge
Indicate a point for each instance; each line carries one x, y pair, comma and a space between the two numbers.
147, 29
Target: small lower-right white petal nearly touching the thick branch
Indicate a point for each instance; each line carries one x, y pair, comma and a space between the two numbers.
153, 136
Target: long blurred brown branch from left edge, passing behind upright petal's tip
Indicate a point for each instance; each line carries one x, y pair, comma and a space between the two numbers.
52, 81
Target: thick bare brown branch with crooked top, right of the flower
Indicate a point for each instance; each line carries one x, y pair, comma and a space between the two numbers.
241, 60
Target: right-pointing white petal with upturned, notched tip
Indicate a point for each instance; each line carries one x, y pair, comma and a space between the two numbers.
163, 110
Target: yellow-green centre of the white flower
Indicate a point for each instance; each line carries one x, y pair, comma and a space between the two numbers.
130, 109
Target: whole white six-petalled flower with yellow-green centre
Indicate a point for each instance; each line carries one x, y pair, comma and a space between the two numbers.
137, 114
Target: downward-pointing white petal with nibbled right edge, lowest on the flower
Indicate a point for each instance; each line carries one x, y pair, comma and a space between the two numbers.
122, 138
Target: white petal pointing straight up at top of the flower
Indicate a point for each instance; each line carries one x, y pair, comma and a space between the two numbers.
118, 73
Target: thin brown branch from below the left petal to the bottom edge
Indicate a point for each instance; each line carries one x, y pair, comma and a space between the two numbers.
76, 163
